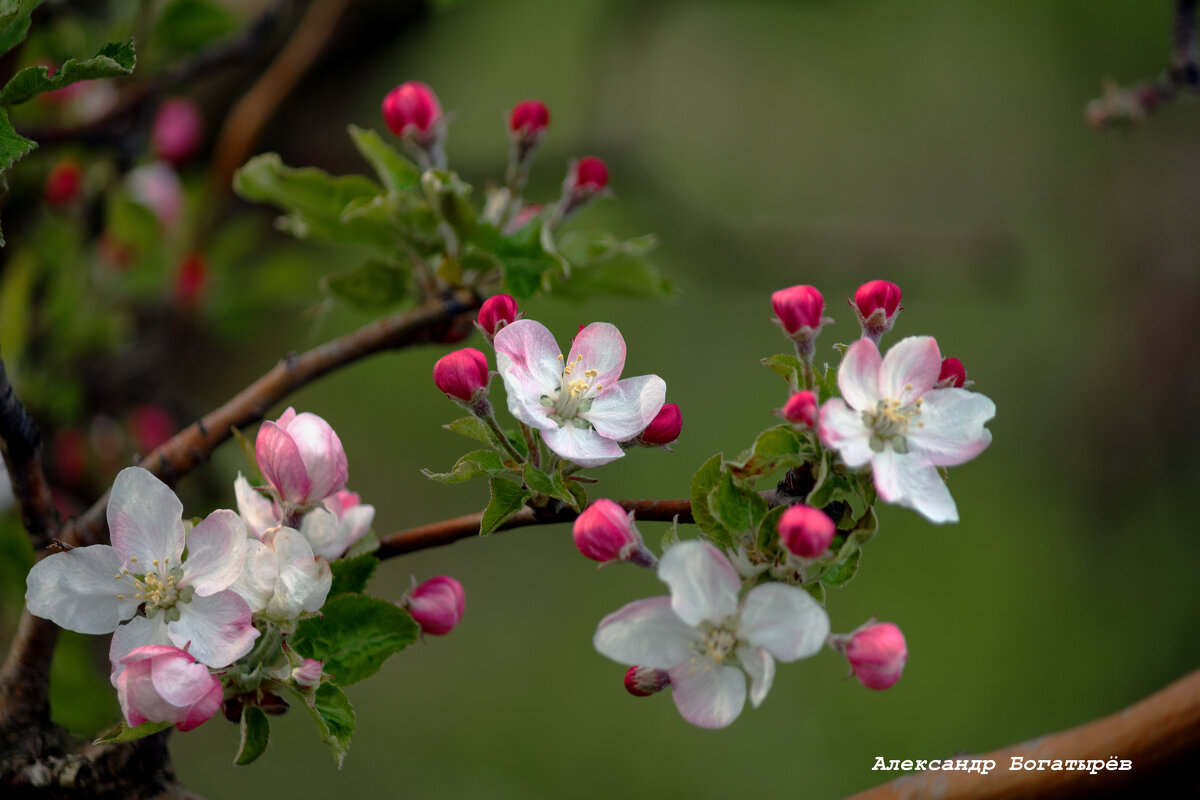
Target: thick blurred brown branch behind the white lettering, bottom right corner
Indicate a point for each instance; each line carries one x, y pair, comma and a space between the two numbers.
1161, 736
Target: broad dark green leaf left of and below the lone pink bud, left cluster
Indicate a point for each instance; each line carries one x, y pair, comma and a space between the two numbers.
355, 636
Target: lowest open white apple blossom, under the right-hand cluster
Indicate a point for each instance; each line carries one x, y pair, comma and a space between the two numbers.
705, 639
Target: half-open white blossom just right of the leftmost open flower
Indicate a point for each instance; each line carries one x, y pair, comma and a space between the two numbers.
283, 578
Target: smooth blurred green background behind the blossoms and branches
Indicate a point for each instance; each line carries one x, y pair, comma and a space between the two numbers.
937, 145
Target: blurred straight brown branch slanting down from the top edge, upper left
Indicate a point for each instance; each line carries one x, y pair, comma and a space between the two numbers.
251, 113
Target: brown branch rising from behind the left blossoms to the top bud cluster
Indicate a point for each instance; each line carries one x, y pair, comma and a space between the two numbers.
191, 447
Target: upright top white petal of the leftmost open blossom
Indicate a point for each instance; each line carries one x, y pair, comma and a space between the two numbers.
146, 520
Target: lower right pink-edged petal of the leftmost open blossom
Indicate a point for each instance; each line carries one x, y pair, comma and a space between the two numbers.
217, 630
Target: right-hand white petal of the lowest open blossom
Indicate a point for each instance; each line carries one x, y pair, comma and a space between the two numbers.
787, 622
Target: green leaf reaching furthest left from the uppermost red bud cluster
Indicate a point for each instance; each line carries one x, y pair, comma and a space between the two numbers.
316, 202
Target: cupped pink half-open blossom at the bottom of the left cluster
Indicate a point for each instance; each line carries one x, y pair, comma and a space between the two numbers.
165, 684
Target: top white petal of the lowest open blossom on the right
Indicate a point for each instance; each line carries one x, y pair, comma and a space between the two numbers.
704, 584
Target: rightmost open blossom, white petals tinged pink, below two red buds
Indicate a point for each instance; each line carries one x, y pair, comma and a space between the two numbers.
892, 417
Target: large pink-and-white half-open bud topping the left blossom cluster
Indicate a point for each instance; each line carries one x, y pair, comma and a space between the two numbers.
302, 458
